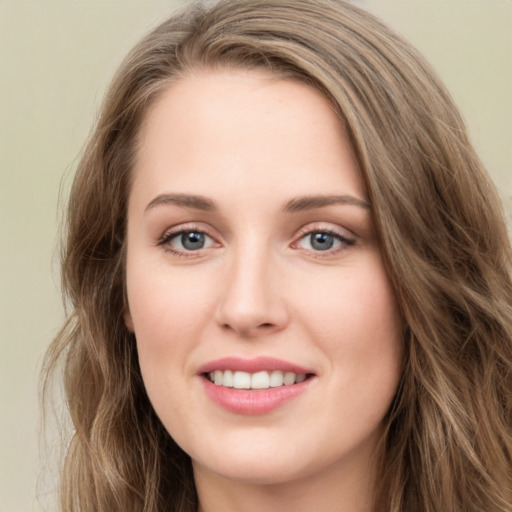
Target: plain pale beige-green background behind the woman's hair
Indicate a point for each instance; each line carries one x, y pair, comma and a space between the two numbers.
55, 60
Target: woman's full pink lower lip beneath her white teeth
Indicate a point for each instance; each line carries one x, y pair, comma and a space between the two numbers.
251, 401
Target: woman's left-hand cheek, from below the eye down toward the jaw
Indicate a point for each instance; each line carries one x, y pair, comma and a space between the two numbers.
168, 318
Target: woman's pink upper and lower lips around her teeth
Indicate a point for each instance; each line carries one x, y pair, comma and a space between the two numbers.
249, 401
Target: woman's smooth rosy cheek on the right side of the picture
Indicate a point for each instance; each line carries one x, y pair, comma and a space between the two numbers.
356, 324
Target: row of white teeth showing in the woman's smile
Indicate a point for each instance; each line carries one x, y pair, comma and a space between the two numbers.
258, 380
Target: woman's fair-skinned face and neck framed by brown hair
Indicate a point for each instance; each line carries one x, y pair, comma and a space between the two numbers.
250, 235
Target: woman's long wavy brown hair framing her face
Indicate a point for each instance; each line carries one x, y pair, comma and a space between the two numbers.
448, 443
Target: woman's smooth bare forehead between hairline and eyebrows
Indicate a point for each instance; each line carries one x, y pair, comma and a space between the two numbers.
239, 131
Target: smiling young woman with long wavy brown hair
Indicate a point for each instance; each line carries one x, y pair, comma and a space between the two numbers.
289, 277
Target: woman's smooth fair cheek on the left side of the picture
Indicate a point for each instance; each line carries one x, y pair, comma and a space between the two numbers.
171, 309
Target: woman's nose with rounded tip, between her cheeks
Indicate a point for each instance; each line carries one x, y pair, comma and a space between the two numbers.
252, 303
